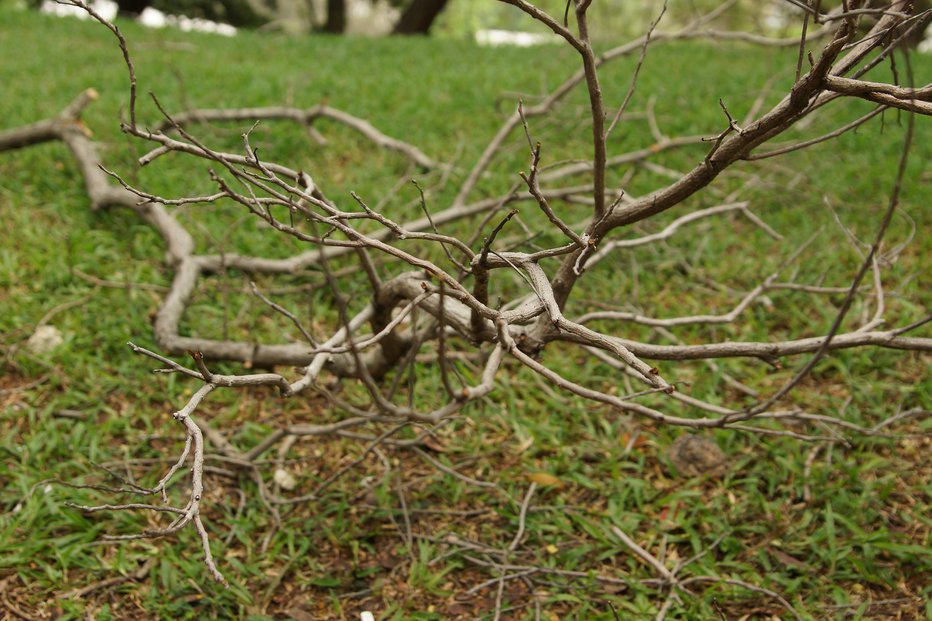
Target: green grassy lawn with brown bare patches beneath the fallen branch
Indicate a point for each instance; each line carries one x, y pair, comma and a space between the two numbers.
840, 530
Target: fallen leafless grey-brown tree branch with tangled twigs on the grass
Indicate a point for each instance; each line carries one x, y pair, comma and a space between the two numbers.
429, 306
